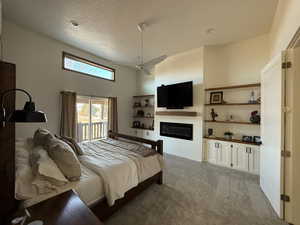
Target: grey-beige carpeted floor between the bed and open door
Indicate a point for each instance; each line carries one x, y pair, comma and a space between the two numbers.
199, 194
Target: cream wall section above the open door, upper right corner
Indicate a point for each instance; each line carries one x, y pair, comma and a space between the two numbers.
285, 24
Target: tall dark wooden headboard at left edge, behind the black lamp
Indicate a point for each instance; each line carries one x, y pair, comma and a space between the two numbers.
7, 144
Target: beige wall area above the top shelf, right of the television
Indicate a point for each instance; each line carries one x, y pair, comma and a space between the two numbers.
235, 63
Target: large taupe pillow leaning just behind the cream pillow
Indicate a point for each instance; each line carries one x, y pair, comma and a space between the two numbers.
64, 157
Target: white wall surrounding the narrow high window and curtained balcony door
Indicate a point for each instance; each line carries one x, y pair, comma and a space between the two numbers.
39, 70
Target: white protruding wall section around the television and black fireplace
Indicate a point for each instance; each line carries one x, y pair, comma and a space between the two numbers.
187, 66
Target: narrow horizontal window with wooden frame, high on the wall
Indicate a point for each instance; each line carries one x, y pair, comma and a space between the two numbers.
84, 66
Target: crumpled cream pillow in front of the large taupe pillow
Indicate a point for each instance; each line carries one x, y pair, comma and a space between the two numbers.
45, 168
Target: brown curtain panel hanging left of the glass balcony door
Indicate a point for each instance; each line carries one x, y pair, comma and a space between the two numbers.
68, 125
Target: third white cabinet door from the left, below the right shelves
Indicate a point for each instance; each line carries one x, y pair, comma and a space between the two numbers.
240, 159
